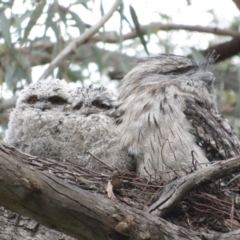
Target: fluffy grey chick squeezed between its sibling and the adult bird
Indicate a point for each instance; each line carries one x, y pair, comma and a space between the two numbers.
92, 118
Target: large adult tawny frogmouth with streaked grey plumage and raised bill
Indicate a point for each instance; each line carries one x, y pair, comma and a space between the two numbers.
169, 119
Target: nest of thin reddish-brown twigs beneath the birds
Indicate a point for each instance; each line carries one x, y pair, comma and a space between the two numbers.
212, 207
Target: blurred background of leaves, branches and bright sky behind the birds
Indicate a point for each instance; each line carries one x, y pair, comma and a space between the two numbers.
34, 32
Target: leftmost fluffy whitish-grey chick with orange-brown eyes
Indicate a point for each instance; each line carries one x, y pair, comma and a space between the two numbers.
33, 124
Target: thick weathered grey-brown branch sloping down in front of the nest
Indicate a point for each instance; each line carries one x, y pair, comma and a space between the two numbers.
38, 194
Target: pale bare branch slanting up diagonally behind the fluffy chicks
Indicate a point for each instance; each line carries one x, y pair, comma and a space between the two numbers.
77, 42
